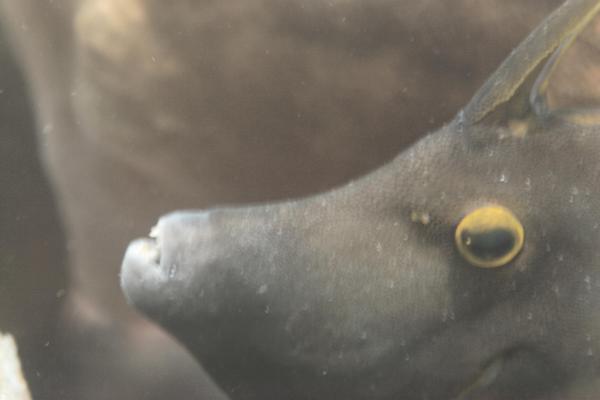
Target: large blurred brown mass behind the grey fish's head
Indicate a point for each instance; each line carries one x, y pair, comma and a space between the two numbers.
126, 136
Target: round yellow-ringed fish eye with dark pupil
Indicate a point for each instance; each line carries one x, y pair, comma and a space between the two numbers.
489, 237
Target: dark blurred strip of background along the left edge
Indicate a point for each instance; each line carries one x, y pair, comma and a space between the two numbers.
32, 244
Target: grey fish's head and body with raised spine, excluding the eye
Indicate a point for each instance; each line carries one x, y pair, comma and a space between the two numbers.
360, 293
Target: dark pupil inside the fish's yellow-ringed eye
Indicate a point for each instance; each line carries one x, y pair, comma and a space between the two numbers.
490, 244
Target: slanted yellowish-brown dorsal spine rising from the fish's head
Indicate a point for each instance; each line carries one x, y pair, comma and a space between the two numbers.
516, 89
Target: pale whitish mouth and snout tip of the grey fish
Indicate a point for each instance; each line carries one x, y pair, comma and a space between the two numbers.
179, 260
